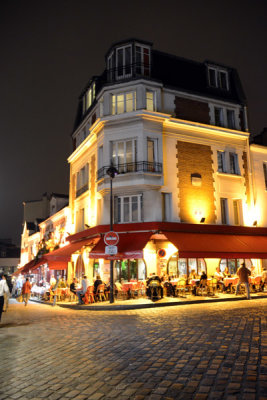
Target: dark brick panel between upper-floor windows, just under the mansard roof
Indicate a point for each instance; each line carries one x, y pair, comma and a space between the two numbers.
192, 110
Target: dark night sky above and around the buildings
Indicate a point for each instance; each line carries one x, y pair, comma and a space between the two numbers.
50, 49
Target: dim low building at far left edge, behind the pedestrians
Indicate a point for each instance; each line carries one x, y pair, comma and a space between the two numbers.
9, 256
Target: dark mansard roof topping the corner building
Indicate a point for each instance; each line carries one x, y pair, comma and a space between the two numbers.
172, 72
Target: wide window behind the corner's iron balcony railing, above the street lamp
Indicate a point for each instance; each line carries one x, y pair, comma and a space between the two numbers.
124, 155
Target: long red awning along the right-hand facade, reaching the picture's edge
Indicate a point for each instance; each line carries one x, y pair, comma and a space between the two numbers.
204, 245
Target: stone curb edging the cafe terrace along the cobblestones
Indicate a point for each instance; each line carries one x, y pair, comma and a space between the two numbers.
120, 307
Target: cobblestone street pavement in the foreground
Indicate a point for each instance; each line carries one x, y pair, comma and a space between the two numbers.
201, 351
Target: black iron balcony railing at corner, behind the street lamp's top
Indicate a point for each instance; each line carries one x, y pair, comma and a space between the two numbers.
140, 166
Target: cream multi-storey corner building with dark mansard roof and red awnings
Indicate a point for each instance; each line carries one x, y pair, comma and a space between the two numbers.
185, 196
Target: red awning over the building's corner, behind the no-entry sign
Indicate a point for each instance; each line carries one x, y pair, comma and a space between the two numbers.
130, 246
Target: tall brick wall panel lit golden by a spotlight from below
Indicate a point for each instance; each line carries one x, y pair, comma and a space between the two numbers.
196, 198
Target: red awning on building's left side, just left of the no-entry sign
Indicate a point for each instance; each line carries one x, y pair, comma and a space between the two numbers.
64, 253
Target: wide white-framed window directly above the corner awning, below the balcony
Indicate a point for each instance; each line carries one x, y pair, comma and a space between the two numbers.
128, 208
